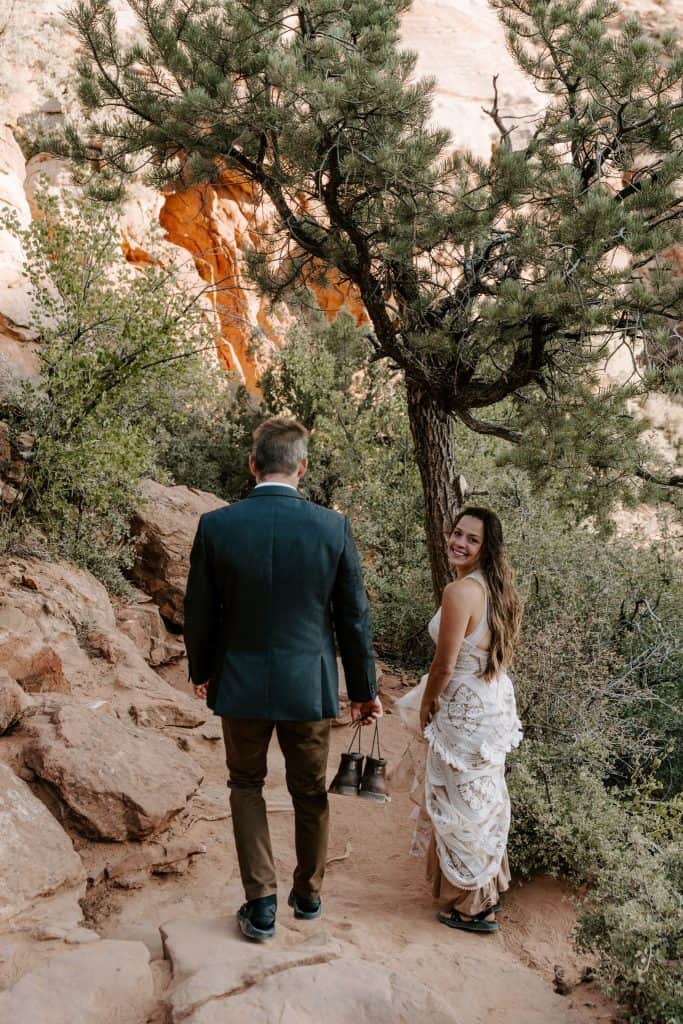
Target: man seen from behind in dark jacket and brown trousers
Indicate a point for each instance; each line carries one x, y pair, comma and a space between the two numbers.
273, 580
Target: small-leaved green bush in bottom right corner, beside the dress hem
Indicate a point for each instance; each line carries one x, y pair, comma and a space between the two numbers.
627, 849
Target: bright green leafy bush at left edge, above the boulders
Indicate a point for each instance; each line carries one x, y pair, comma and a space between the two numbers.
115, 344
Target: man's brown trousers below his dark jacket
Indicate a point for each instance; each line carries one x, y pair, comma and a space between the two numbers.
306, 746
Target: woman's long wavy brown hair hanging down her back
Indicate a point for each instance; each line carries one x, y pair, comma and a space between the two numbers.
505, 610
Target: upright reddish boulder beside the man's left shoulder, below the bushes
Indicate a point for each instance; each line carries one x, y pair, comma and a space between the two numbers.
165, 529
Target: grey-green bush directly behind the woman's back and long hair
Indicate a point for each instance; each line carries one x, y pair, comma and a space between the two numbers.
602, 653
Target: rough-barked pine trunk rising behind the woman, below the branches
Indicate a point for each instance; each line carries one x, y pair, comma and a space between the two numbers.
436, 456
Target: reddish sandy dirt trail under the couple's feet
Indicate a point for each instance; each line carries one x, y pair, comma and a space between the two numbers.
377, 905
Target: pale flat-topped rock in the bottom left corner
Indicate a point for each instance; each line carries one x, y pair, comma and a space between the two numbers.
108, 983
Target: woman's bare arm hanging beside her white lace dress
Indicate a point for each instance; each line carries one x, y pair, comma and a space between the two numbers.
462, 603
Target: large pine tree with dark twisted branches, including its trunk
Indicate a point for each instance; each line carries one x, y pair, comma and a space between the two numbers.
494, 286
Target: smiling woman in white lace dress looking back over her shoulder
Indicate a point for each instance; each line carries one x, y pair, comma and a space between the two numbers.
468, 716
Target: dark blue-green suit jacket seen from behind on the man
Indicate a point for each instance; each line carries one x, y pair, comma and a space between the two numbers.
273, 579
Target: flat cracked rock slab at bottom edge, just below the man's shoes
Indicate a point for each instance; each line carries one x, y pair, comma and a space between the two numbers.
219, 977
